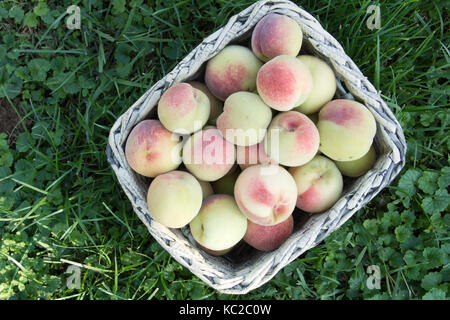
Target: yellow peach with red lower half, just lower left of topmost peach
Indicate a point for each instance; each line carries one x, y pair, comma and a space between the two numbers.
233, 69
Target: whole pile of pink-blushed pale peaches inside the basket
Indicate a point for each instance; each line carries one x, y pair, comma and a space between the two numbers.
233, 156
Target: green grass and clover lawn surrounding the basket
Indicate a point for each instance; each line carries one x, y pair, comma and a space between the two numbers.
60, 202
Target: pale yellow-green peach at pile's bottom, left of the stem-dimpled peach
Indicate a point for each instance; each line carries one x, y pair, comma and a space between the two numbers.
220, 224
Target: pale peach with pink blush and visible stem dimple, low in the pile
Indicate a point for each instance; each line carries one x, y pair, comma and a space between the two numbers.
266, 194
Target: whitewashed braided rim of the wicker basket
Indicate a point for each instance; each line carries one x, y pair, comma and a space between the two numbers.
241, 281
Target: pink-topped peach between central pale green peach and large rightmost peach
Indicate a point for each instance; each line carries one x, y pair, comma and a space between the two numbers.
292, 139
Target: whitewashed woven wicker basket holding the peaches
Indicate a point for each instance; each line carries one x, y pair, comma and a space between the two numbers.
244, 269
